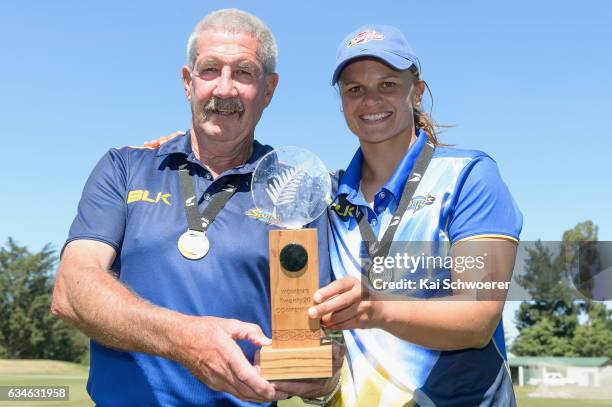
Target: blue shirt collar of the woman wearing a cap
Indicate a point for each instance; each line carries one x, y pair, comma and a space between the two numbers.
351, 179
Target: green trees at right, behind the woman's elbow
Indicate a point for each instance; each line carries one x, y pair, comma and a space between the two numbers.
554, 323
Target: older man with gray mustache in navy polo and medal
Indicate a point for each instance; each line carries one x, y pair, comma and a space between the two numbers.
174, 309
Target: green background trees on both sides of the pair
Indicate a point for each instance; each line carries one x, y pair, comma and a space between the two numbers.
553, 324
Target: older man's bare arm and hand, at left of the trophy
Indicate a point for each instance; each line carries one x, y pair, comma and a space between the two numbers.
88, 296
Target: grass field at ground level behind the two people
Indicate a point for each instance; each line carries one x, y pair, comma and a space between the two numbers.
54, 373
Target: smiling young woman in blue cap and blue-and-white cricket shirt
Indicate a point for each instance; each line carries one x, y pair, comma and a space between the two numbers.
432, 351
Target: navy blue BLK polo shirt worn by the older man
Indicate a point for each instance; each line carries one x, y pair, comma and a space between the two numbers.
132, 202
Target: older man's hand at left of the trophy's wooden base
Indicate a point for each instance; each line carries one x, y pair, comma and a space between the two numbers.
210, 352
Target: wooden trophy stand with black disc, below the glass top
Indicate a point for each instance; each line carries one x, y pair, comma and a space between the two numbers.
297, 350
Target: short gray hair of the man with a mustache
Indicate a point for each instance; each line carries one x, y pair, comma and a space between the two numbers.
236, 21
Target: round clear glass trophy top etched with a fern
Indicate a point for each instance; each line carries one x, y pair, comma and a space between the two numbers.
291, 187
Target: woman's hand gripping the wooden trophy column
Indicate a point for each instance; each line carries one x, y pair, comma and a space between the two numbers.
345, 304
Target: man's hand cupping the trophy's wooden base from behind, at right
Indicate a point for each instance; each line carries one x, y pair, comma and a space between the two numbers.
312, 388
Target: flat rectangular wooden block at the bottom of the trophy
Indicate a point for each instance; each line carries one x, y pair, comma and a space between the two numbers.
296, 363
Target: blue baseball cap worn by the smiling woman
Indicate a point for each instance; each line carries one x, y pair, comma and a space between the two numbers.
384, 42
